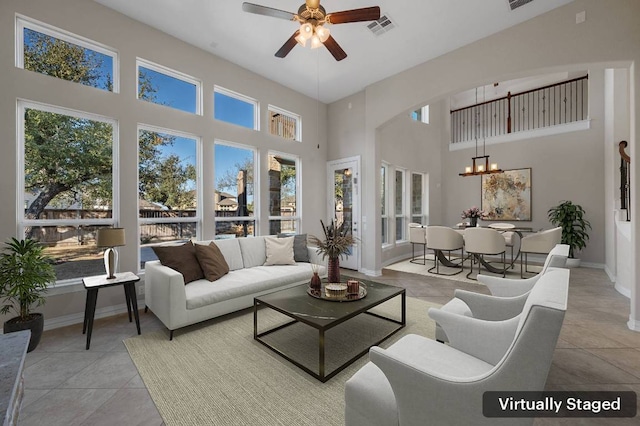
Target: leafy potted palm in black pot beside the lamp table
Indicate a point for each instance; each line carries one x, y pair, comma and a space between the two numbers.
25, 272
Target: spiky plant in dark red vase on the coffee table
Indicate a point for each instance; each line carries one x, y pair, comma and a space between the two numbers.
336, 243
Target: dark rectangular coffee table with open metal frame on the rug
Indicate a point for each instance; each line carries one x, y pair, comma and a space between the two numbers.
323, 315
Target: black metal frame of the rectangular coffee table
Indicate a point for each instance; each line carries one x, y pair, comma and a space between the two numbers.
297, 317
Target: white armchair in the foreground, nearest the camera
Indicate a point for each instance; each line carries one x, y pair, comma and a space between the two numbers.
418, 381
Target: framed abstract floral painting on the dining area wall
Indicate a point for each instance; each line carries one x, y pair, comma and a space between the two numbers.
507, 195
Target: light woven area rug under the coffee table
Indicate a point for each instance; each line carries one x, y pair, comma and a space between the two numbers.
214, 373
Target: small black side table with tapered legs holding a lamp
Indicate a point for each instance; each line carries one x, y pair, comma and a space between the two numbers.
93, 284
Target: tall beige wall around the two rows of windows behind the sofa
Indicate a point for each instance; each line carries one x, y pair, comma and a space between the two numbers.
132, 39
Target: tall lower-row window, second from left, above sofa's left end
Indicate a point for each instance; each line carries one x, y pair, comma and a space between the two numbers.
168, 188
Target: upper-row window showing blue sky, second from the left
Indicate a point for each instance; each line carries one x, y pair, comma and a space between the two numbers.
164, 86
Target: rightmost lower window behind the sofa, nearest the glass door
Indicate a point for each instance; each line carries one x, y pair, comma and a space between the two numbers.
283, 193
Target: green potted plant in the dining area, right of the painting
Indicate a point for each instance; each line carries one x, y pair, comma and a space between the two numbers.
570, 217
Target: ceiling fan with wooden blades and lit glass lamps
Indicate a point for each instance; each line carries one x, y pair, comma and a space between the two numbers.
312, 18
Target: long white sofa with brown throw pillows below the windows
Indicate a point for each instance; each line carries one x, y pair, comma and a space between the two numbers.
178, 305
